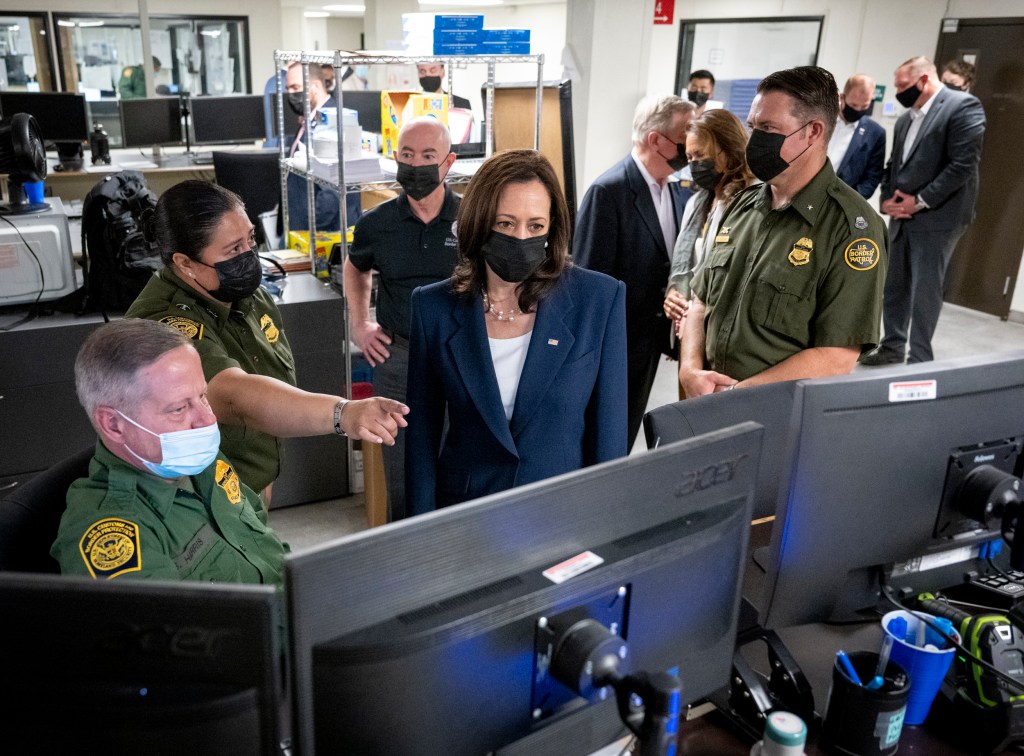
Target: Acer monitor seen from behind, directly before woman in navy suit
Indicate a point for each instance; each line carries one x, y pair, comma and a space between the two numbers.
439, 635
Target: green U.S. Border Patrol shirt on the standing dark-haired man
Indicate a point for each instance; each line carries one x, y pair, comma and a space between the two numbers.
779, 282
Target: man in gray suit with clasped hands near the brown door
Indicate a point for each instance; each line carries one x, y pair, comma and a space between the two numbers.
929, 192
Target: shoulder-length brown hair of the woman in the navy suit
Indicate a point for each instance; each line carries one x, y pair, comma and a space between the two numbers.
477, 222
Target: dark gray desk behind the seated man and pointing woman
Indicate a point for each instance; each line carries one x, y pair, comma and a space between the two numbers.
41, 422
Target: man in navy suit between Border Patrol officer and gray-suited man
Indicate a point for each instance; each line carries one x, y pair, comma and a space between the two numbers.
858, 147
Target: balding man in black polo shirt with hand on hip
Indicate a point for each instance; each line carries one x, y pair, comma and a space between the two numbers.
409, 241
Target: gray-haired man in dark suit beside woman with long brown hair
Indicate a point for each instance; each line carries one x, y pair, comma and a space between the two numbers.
627, 229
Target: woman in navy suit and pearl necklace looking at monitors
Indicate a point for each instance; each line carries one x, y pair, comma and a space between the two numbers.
523, 352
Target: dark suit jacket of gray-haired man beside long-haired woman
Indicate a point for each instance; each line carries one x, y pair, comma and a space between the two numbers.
618, 234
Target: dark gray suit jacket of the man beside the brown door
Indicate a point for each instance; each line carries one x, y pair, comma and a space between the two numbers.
943, 166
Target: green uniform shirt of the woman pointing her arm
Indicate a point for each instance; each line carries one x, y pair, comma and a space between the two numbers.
248, 337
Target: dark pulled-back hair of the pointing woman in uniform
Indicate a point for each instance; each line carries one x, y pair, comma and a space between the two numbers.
187, 217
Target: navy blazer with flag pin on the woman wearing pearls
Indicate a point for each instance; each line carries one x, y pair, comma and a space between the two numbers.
571, 405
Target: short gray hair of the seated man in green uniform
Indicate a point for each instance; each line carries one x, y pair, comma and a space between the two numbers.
112, 357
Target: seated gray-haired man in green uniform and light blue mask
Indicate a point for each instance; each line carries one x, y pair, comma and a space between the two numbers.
161, 500
